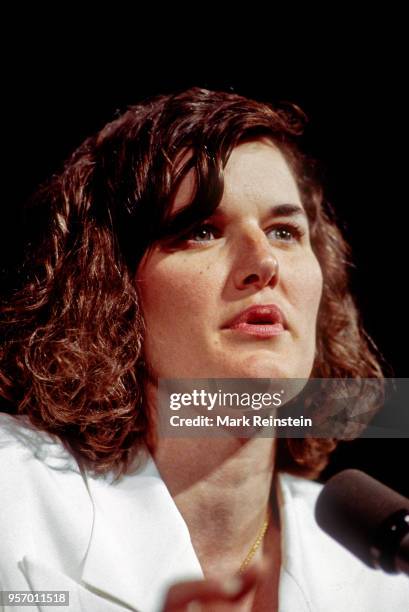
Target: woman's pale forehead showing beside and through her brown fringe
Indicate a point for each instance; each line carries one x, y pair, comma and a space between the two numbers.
256, 170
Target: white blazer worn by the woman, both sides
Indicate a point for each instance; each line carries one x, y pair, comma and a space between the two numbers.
118, 546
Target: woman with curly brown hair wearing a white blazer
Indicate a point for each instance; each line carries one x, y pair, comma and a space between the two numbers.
163, 231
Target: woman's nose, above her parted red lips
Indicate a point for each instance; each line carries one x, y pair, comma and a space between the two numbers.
257, 264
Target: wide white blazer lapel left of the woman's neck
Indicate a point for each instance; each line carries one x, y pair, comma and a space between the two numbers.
140, 544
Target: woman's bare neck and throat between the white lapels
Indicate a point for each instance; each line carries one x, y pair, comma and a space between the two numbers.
221, 487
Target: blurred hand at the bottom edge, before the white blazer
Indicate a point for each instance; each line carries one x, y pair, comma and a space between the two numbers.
212, 594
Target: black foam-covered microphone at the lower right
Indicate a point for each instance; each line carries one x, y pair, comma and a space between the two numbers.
368, 518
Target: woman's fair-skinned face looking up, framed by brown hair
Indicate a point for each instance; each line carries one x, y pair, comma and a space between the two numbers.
239, 296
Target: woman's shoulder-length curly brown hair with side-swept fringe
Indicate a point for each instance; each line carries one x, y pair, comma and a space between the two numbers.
72, 332
